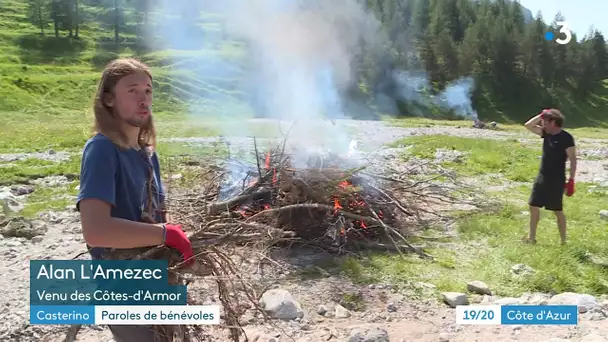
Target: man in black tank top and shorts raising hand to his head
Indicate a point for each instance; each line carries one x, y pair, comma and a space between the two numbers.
548, 189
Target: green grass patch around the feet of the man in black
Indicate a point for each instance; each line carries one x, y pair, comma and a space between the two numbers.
491, 244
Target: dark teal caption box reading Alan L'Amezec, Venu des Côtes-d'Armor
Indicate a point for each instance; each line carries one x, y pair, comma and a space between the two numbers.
103, 282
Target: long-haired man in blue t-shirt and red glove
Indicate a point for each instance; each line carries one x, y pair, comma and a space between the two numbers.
121, 197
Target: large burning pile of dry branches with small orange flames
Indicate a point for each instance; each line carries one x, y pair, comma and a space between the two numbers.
328, 203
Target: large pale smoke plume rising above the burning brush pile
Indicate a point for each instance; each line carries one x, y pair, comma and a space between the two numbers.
295, 65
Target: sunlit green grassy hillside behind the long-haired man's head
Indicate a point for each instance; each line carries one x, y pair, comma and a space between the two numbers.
47, 83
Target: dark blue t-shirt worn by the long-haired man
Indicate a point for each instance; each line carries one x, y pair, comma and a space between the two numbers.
121, 178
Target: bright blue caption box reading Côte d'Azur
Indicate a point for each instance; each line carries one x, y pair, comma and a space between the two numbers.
539, 314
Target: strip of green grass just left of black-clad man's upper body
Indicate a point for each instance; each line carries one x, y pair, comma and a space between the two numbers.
483, 156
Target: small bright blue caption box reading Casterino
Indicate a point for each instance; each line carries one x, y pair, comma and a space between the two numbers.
62, 314
